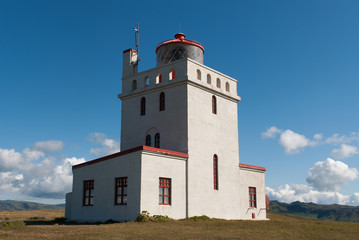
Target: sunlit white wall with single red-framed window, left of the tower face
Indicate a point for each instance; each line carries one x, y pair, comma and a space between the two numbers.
155, 166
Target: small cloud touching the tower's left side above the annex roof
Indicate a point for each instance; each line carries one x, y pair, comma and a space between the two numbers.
109, 146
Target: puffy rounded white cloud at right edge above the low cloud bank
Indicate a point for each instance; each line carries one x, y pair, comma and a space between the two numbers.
330, 175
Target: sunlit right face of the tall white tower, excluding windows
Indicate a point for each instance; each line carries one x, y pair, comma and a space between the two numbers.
210, 134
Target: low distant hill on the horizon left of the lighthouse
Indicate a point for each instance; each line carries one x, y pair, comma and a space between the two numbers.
11, 205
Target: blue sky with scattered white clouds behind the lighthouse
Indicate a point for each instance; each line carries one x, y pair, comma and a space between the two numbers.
296, 63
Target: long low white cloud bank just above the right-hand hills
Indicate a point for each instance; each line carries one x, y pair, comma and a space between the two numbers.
304, 193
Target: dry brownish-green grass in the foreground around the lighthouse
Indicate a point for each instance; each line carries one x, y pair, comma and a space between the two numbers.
40, 224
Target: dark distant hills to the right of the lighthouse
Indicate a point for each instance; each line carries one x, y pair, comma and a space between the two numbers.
314, 211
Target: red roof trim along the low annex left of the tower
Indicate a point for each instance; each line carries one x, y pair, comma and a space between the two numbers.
140, 148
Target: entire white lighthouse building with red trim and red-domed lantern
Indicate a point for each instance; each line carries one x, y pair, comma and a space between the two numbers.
179, 146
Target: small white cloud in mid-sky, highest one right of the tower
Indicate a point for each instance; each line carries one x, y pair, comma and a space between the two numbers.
293, 142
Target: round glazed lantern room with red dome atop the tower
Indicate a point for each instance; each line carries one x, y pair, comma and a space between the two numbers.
179, 48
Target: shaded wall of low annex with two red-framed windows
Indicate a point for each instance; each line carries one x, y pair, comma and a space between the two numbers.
104, 174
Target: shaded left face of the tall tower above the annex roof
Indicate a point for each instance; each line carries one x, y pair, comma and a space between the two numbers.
171, 123
